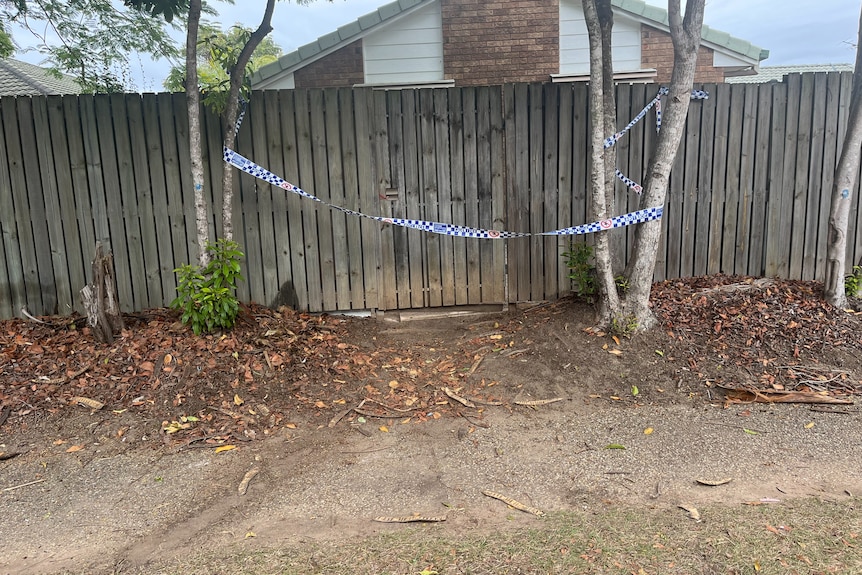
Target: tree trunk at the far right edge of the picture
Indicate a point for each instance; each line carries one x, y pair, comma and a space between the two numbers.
843, 185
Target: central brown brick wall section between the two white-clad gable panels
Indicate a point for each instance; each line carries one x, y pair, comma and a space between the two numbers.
498, 41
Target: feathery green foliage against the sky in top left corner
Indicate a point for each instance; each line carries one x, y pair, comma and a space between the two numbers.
92, 40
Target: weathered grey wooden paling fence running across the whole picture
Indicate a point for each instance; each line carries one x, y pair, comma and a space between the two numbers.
749, 192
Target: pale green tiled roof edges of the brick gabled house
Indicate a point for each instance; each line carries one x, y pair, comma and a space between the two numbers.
353, 31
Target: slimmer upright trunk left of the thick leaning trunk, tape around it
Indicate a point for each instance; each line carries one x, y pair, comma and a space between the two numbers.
599, 20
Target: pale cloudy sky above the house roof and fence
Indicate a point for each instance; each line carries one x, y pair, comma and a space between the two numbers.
794, 31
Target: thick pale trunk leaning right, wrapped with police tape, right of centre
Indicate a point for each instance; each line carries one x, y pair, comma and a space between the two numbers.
685, 33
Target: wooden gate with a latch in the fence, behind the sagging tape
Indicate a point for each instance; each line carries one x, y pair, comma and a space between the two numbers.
445, 150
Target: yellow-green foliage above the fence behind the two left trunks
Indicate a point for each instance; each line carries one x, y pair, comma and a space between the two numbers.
217, 56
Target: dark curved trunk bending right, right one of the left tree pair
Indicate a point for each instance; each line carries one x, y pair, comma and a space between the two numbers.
237, 76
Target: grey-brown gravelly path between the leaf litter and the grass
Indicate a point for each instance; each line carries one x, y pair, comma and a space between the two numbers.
121, 512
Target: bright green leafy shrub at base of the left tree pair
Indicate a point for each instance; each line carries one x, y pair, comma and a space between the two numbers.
207, 296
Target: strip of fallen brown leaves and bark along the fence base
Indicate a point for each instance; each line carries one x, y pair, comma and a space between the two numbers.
279, 369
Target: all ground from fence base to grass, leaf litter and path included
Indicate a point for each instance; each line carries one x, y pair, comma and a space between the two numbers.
125, 458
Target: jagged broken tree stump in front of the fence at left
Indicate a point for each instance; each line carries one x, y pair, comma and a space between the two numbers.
100, 298
